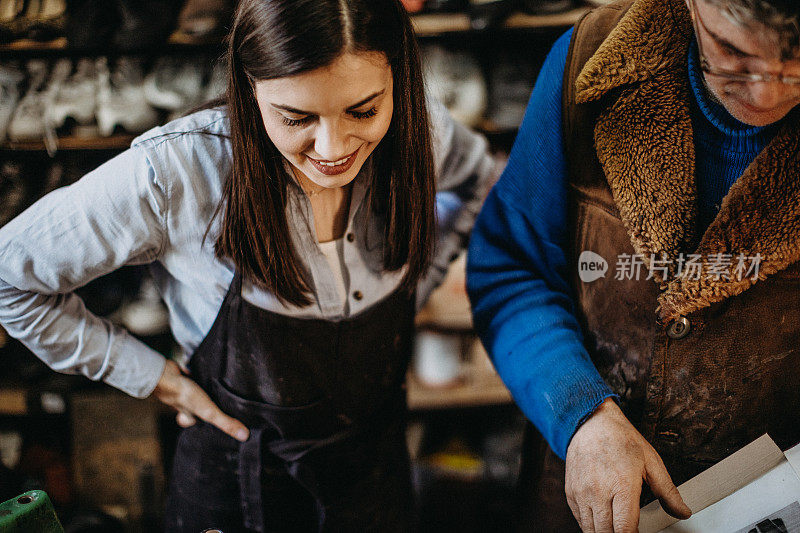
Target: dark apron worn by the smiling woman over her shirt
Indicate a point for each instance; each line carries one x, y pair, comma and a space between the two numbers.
325, 405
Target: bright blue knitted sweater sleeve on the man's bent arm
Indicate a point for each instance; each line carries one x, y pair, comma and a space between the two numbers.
516, 274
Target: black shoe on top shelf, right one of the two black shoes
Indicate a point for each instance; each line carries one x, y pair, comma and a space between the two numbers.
143, 24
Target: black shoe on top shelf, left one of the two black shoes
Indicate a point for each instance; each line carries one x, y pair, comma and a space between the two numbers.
90, 24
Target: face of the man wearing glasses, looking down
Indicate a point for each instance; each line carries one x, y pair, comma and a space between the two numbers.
753, 49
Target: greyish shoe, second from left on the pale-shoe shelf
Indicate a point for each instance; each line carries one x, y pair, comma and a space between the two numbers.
27, 121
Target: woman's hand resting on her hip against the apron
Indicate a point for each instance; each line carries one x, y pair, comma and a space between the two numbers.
186, 396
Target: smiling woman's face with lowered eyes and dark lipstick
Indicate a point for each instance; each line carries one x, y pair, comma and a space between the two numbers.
326, 122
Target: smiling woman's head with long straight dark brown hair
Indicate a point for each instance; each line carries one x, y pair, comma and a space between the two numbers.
315, 61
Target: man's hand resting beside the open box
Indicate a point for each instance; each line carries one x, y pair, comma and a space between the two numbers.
607, 460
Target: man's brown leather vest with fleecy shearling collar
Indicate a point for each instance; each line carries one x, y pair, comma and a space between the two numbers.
702, 366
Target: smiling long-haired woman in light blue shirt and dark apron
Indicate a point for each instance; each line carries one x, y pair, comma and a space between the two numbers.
292, 233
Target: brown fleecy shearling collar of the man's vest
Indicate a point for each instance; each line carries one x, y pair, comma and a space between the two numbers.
645, 145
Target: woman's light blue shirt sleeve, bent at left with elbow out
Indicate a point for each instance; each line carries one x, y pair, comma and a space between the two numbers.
113, 216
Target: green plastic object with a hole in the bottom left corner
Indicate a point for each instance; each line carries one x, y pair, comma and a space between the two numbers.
31, 512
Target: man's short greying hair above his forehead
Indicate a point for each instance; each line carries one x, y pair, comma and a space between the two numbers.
783, 16
